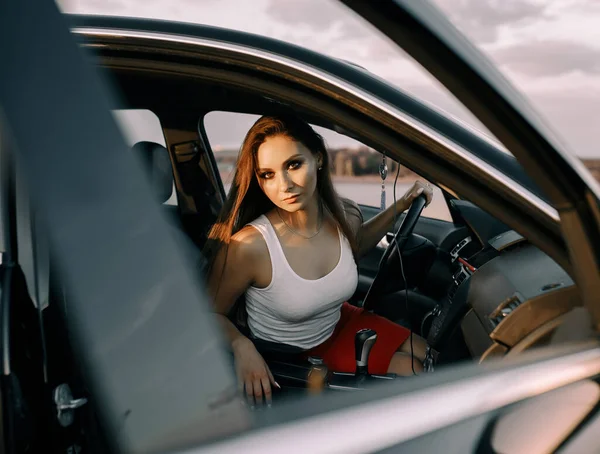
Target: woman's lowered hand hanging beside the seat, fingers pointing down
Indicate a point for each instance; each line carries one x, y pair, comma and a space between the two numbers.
252, 371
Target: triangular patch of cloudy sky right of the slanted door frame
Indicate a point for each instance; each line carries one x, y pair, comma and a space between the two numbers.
549, 50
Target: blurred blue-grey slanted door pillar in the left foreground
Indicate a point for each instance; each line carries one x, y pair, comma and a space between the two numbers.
121, 268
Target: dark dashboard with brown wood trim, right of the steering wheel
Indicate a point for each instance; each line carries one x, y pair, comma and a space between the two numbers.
506, 294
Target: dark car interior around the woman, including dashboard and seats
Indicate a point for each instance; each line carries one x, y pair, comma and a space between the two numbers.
514, 302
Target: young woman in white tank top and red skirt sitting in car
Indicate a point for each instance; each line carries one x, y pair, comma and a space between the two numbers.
288, 242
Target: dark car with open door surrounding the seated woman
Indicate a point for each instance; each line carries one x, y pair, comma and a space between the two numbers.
108, 343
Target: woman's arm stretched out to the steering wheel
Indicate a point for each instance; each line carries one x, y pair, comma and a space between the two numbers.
372, 231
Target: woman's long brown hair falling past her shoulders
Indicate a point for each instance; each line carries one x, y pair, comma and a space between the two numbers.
246, 200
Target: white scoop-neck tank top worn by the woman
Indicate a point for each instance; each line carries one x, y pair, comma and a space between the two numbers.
293, 310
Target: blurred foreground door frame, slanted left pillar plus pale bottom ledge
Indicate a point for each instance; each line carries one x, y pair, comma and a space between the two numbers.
157, 375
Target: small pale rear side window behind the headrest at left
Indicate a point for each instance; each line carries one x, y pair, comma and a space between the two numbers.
142, 125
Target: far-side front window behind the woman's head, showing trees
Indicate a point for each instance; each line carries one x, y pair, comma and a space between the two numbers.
354, 166
